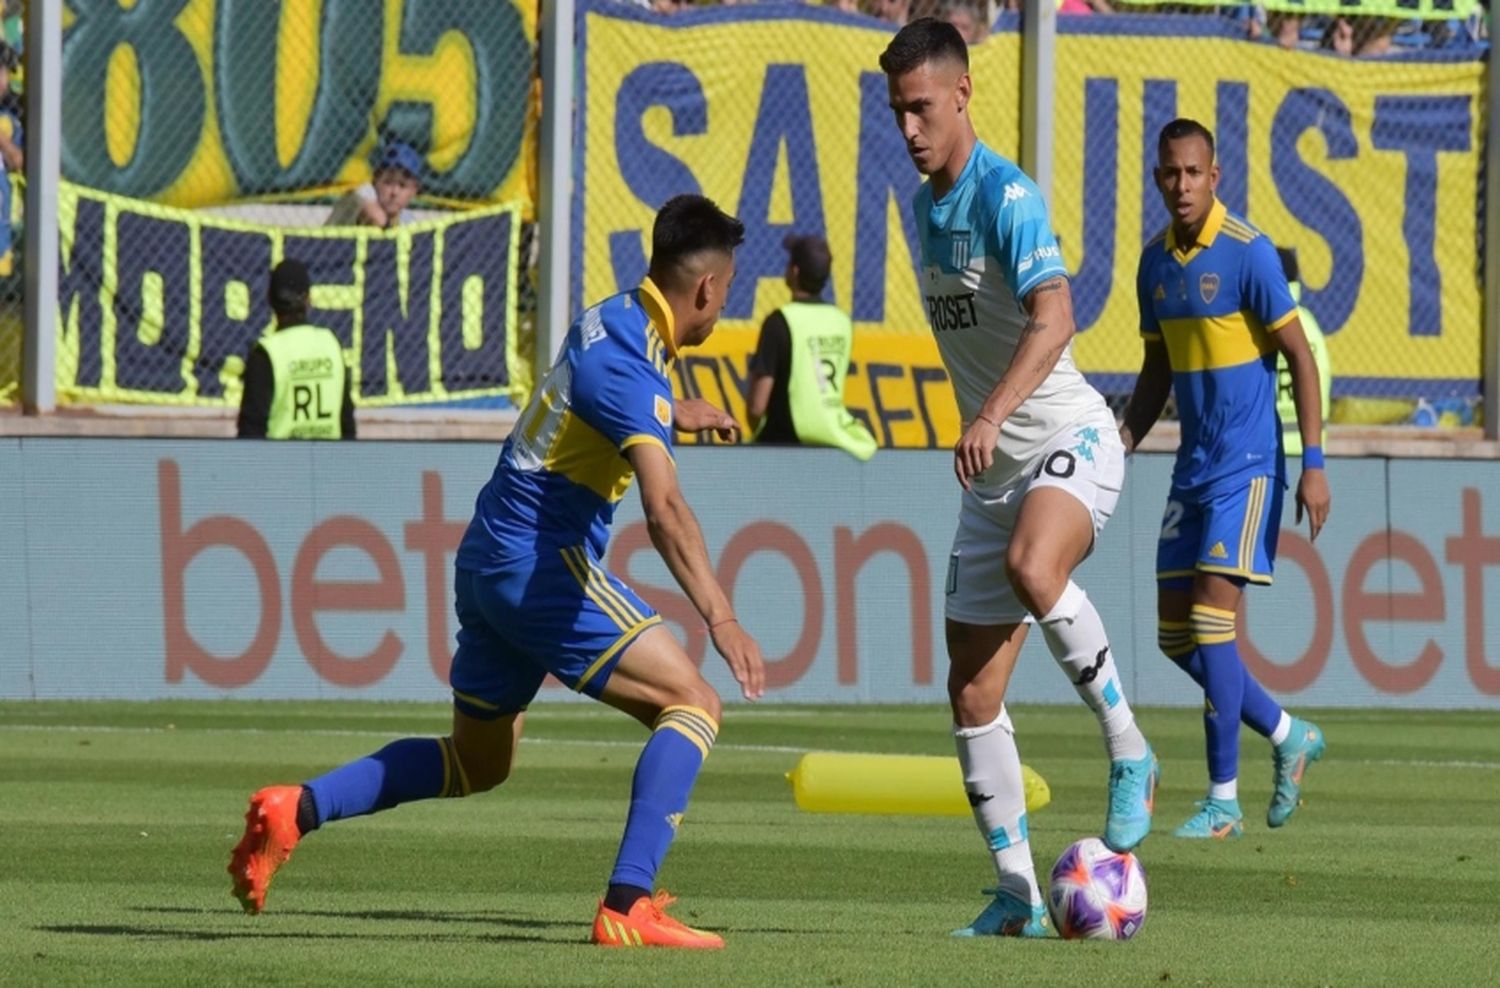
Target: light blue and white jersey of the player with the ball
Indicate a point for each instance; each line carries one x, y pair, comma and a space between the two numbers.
985, 247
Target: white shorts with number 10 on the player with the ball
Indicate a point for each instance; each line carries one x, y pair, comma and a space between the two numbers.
1085, 460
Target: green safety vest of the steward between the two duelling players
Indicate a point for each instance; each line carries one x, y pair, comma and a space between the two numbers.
823, 338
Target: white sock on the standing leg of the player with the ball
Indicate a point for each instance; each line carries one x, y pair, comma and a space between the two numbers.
992, 777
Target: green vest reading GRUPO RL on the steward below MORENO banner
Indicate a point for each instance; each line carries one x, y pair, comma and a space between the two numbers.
308, 376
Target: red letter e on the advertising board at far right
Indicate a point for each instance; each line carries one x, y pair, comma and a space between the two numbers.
1361, 609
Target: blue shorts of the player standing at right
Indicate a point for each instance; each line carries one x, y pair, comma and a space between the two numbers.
1232, 533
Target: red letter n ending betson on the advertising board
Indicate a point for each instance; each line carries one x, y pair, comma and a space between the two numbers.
850, 557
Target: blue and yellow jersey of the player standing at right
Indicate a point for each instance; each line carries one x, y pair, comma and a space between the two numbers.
1216, 305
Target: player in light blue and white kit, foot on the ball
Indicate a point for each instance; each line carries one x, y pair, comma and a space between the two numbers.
1040, 466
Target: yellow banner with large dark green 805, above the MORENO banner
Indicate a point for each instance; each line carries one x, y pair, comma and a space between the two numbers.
202, 103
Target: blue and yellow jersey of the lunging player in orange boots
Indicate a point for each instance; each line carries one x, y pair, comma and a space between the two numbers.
563, 470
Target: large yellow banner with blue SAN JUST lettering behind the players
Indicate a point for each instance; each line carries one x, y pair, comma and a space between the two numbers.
785, 122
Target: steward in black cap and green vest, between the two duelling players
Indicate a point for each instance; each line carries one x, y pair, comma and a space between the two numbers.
797, 374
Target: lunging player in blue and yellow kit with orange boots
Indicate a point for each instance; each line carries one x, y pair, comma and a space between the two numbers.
535, 597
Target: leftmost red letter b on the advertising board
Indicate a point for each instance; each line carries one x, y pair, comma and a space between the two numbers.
179, 549
